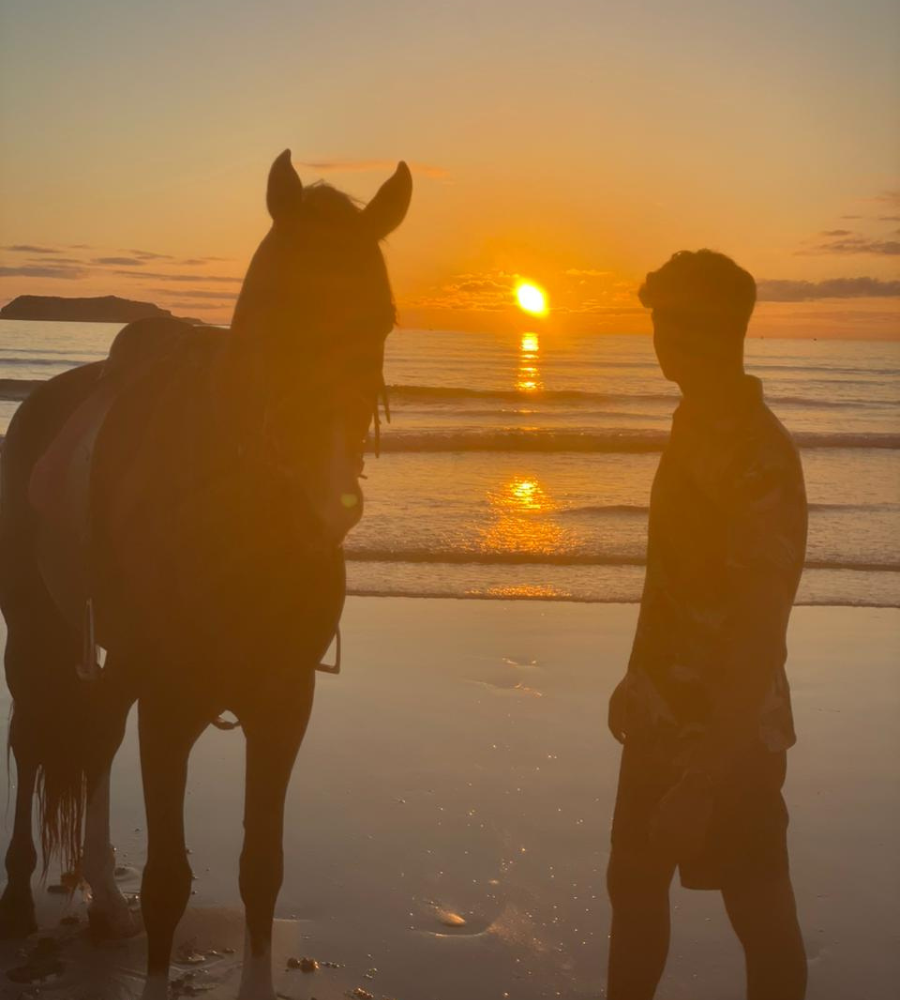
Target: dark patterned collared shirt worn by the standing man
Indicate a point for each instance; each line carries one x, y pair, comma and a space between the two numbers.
726, 545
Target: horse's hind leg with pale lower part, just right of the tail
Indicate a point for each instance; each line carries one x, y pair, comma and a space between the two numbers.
108, 914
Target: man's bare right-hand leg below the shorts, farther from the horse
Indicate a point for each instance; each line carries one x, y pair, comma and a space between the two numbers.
764, 916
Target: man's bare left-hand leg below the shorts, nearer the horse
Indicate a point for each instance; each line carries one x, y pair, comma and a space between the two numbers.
639, 940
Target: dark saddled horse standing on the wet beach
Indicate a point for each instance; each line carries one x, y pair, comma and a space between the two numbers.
182, 506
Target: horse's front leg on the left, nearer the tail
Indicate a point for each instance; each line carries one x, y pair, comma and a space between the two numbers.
168, 729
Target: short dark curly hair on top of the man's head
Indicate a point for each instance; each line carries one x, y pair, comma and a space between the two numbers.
702, 288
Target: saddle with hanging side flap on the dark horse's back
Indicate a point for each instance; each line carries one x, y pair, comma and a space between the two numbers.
60, 488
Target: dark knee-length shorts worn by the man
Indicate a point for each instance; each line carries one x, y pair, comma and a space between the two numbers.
747, 834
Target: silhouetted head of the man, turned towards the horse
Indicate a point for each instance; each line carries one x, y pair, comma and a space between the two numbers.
702, 302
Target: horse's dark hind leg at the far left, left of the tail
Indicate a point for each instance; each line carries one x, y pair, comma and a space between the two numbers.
17, 905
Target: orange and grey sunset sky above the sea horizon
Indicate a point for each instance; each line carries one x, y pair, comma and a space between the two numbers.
577, 144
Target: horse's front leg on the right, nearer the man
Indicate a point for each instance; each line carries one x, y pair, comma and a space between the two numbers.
274, 729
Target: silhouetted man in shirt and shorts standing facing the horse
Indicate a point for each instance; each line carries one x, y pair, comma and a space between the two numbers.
704, 711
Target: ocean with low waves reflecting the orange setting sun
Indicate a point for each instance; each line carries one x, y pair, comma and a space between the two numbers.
519, 466
